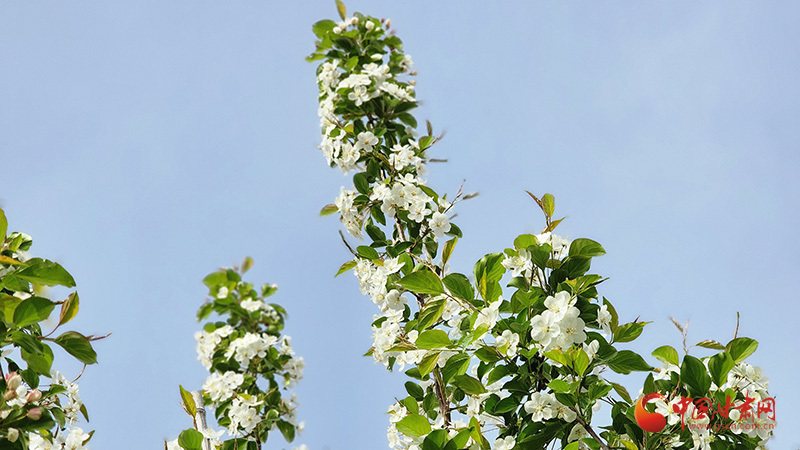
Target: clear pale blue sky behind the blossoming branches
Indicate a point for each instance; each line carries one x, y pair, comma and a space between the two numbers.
144, 144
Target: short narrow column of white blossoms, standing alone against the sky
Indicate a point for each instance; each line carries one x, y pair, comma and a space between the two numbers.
251, 363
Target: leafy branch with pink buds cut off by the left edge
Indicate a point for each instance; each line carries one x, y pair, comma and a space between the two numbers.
39, 405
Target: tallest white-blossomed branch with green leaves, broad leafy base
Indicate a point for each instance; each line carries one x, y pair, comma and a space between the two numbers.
531, 363
